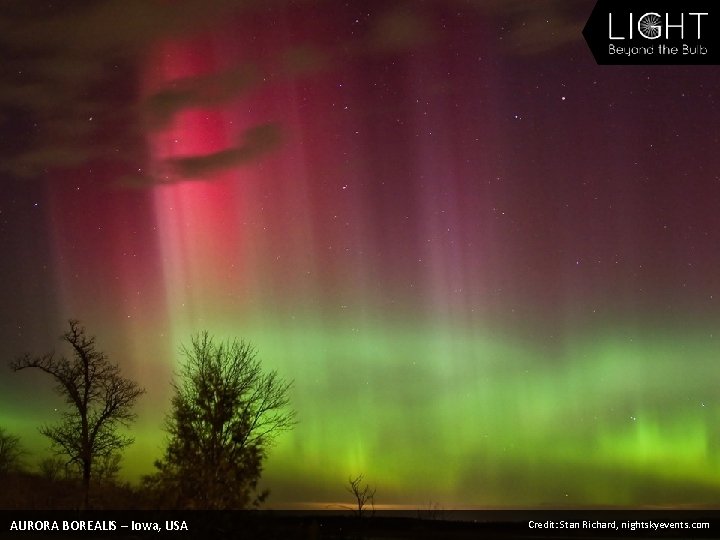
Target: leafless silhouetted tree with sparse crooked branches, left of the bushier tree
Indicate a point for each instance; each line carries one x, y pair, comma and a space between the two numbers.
100, 401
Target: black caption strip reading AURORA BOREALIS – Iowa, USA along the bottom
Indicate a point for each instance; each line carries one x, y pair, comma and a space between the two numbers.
382, 524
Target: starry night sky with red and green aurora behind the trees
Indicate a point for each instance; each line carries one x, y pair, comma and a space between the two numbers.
491, 267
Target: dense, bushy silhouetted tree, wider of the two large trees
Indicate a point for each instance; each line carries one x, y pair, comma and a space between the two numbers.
225, 413
